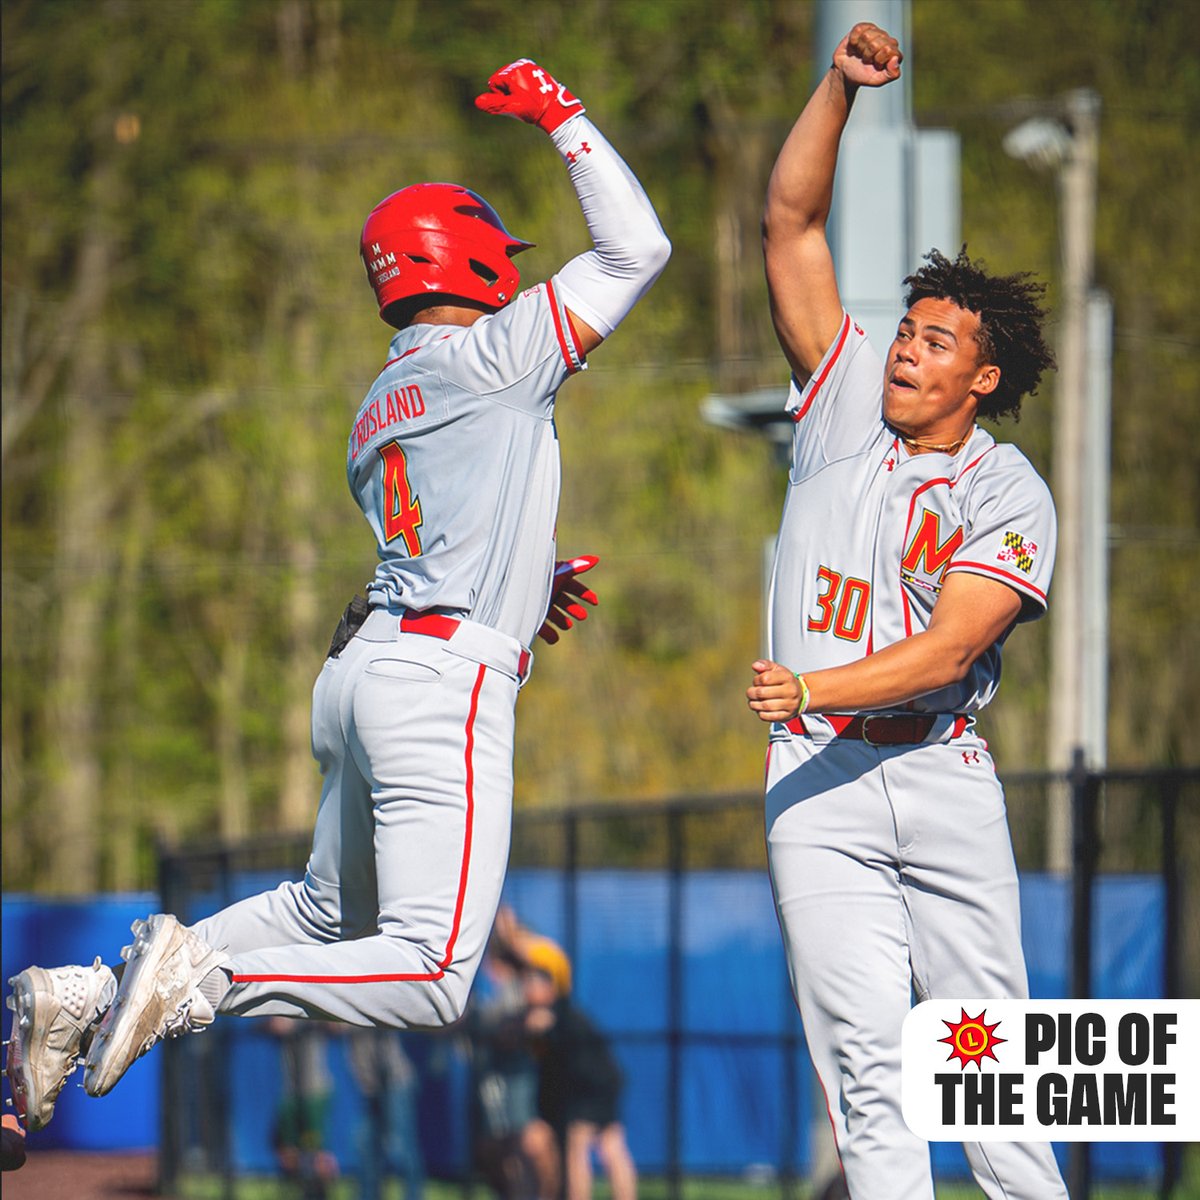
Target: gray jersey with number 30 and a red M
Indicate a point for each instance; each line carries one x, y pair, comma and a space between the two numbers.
902, 524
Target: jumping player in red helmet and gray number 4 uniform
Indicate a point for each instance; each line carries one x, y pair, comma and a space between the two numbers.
454, 460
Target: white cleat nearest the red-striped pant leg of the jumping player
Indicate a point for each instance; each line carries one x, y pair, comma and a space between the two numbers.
159, 998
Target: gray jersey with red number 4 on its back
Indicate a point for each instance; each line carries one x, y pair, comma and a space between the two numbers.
454, 460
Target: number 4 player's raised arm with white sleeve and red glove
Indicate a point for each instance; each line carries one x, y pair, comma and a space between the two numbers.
602, 286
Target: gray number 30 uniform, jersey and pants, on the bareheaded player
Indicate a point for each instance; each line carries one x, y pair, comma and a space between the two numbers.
892, 866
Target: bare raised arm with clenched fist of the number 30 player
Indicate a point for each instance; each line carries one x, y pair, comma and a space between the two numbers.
803, 290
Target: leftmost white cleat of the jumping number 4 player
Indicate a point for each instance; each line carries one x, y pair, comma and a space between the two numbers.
56, 1013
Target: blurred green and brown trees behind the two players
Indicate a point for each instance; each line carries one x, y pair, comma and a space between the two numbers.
188, 334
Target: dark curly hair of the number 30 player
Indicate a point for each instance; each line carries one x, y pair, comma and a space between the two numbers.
1011, 316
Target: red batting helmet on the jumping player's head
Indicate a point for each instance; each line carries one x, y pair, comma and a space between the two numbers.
440, 239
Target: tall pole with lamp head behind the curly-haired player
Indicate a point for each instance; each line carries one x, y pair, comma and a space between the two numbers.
1070, 143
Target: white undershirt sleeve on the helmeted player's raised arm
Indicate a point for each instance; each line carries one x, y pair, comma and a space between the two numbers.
603, 285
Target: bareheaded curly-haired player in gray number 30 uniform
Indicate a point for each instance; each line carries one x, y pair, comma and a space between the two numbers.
911, 545
